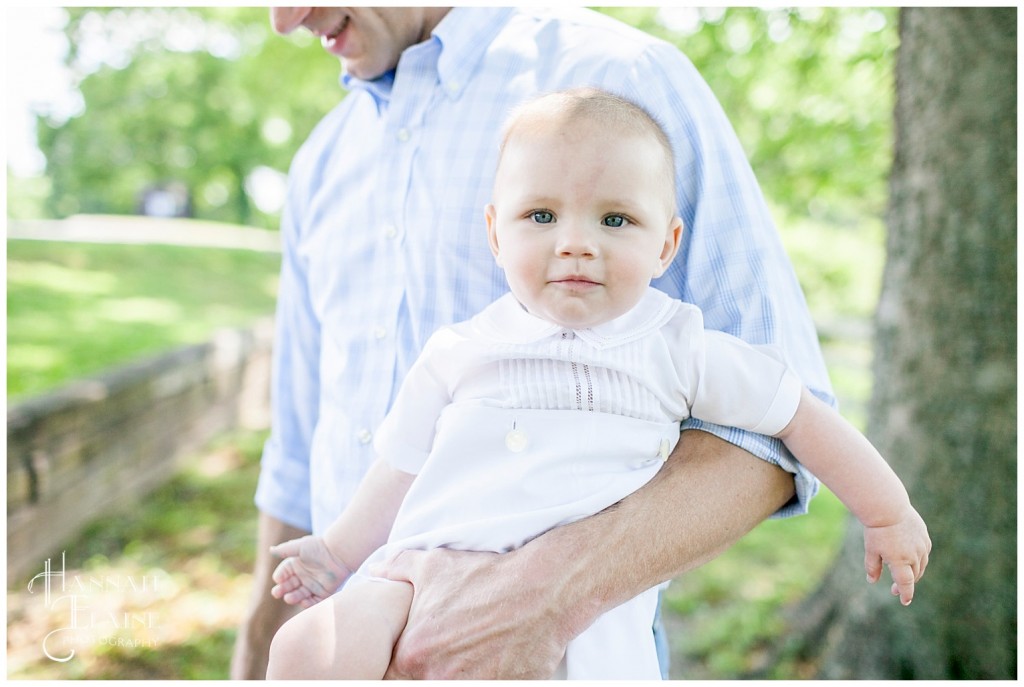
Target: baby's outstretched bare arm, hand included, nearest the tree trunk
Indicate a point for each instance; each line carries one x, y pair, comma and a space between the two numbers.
842, 458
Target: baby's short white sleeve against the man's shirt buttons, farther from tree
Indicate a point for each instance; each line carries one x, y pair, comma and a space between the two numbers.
407, 436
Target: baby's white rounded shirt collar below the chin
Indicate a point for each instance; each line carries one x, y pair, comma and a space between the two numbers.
508, 322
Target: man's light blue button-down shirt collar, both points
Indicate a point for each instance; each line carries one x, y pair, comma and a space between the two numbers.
463, 35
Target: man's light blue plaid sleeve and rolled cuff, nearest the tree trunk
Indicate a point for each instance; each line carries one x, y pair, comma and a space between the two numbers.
732, 264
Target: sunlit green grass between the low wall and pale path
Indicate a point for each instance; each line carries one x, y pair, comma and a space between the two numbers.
75, 310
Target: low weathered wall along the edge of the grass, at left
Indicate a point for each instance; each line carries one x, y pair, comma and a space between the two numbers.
102, 444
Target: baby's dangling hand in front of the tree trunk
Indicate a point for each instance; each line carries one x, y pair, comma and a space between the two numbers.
903, 546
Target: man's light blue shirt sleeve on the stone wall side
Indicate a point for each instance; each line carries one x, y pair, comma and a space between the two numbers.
284, 488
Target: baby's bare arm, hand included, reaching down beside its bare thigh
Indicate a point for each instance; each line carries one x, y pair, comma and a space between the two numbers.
316, 567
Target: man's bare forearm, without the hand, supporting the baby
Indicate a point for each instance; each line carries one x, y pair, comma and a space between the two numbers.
708, 496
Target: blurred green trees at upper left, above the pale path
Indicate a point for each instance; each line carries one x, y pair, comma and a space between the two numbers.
204, 97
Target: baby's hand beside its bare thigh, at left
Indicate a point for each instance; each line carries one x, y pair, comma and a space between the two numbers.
310, 573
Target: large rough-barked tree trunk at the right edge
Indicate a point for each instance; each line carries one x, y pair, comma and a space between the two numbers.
946, 366
